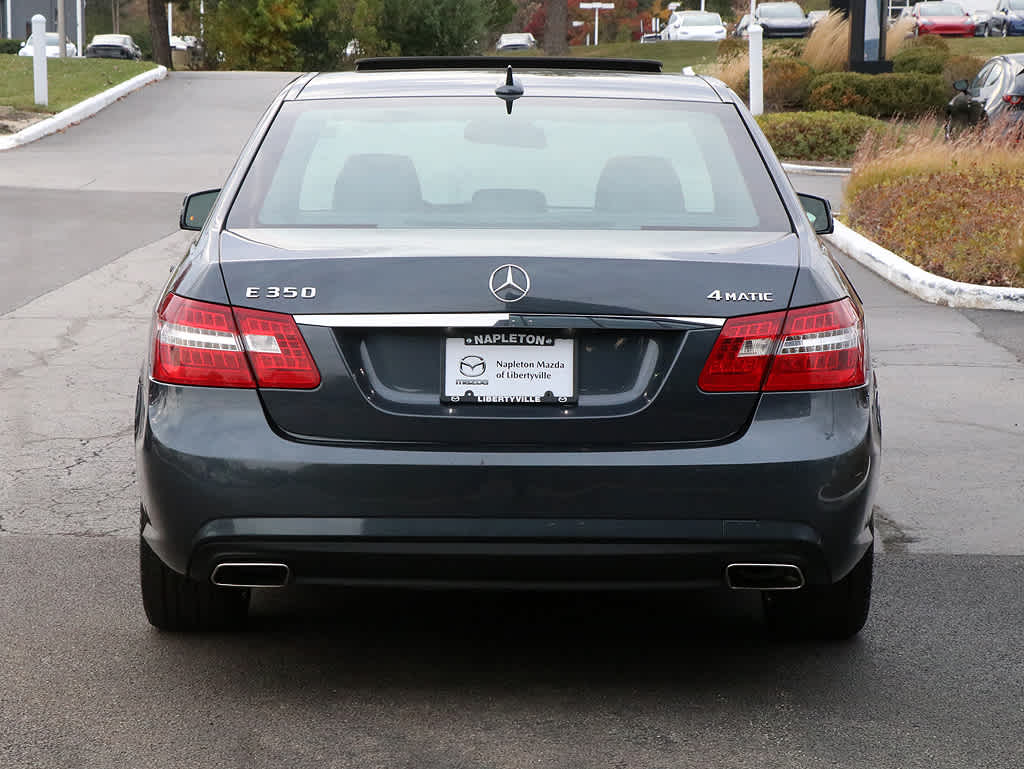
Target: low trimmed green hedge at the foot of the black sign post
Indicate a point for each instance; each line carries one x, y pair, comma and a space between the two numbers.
899, 95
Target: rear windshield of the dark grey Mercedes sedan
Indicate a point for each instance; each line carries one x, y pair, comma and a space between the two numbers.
559, 163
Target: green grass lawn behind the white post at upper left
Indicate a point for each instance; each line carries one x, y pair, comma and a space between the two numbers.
71, 80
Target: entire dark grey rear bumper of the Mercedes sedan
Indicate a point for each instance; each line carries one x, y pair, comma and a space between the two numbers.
219, 485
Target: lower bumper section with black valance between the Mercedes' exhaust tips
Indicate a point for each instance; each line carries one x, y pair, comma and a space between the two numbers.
508, 553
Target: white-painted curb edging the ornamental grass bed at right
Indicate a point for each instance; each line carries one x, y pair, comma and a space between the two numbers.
924, 285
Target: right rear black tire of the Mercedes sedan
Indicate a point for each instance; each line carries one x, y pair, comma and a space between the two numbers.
835, 613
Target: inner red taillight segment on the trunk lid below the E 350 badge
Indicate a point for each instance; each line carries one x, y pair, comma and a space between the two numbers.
277, 351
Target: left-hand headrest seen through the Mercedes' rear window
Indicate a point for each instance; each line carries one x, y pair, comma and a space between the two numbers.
378, 183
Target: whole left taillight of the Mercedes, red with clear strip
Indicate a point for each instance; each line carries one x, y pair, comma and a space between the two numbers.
199, 344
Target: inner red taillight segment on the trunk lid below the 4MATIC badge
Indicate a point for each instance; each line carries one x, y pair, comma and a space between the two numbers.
741, 357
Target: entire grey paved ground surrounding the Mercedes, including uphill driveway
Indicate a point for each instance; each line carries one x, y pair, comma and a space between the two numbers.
460, 680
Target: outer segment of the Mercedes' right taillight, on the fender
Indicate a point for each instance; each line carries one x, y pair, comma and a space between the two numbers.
823, 349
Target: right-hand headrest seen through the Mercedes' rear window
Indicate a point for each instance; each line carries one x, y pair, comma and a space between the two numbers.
639, 184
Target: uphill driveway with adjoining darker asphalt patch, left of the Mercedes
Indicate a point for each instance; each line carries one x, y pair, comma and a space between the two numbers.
80, 199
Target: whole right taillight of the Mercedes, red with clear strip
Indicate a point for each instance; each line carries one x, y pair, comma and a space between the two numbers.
810, 349
